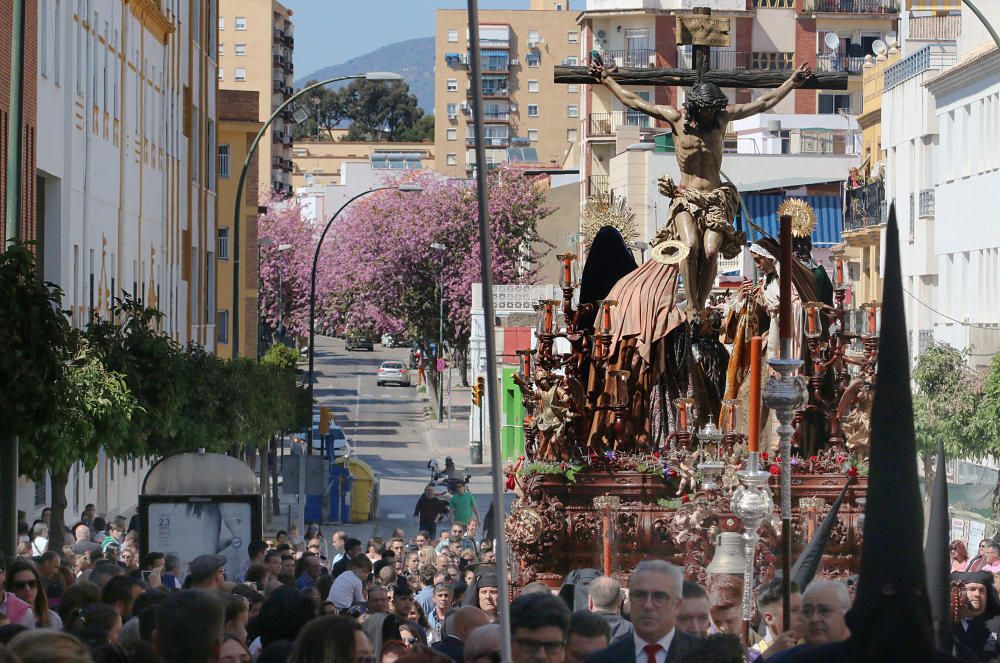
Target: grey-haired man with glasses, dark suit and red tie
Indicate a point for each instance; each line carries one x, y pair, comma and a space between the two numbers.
655, 595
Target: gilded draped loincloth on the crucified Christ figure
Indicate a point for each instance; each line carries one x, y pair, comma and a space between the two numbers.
711, 211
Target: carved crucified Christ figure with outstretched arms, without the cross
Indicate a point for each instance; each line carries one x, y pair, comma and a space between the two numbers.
702, 208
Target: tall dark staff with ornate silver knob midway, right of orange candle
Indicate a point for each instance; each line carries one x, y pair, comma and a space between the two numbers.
785, 393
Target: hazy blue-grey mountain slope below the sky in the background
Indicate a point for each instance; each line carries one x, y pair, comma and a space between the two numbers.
413, 59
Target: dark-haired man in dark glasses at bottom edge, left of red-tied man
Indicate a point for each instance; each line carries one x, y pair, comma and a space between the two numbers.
539, 626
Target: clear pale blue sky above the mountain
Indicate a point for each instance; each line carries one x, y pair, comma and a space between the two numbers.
329, 32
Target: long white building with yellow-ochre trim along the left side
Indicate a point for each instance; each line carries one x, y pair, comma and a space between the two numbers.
126, 172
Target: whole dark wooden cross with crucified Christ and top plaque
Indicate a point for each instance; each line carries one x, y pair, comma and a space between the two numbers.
703, 207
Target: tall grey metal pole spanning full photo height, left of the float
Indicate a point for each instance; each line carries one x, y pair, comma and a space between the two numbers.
492, 400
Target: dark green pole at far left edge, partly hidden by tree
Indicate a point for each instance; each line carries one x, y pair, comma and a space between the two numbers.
12, 216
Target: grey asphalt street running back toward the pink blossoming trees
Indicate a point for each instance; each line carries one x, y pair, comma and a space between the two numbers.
389, 431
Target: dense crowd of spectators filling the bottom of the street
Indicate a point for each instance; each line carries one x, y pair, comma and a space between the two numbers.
421, 598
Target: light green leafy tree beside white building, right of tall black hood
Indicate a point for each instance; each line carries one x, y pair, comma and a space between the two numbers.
944, 406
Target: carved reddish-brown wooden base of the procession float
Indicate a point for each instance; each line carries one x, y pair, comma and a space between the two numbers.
554, 529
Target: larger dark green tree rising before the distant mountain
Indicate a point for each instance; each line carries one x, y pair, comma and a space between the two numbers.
379, 110
